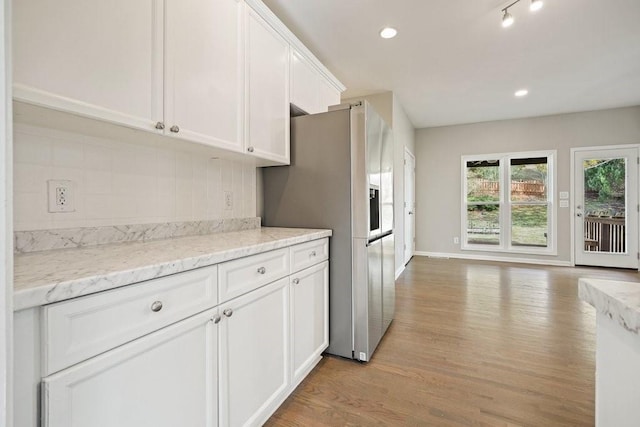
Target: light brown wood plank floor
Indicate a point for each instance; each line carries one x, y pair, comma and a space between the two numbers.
472, 344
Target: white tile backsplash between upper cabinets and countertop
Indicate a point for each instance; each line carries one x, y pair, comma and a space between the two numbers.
116, 183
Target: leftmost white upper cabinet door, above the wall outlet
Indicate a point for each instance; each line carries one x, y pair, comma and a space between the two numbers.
97, 59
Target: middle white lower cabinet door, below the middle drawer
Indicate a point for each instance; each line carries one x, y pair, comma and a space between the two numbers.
254, 355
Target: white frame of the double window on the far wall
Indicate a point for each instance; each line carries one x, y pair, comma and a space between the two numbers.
505, 204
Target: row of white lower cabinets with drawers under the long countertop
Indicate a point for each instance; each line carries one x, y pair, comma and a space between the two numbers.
228, 364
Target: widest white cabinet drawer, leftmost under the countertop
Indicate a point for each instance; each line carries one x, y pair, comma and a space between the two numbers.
78, 329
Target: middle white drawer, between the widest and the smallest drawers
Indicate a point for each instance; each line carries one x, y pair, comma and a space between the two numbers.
242, 275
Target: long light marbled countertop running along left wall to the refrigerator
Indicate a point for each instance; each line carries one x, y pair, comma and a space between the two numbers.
45, 277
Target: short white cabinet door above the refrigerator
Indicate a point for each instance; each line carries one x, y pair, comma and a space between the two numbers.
305, 84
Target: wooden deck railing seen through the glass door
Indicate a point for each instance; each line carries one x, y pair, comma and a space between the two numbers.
604, 234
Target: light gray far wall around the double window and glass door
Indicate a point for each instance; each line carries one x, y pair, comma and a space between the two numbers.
438, 177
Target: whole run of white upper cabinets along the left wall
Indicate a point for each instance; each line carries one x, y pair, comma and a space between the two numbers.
214, 72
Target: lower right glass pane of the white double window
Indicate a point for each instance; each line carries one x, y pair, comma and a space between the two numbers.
529, 225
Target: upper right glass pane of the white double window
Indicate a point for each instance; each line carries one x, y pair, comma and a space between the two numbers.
529, 179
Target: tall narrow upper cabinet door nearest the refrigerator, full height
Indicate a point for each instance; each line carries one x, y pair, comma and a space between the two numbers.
267, 95
